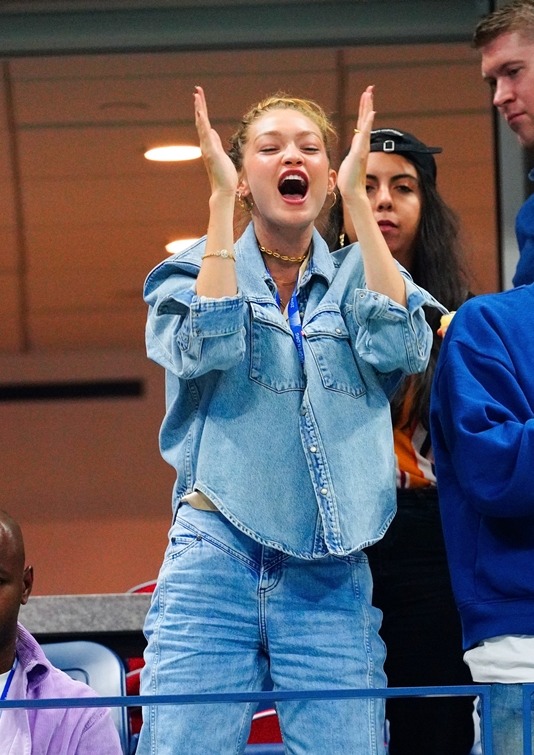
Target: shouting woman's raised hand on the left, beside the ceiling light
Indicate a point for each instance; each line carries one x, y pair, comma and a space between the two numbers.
221, 170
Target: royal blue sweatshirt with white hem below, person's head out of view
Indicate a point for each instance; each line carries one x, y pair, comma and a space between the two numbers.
482, 425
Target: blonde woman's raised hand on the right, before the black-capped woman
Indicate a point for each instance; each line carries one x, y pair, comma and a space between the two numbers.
351, 178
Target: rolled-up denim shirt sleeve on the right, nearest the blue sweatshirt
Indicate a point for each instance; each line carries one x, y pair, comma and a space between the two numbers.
392, 337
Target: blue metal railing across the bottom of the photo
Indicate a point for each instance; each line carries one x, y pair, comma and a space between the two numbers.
483, 691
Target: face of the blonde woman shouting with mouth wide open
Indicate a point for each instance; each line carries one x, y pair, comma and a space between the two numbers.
286, 170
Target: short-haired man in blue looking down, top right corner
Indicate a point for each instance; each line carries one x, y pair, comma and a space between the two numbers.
506, 40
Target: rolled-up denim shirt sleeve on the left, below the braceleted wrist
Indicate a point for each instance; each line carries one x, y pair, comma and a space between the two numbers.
191, 335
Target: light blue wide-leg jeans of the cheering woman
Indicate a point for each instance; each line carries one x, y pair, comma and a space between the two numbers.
229, 615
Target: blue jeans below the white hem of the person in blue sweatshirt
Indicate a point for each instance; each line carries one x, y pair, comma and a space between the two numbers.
507, 719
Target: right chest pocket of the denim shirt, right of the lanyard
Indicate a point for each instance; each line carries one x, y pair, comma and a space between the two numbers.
328, 341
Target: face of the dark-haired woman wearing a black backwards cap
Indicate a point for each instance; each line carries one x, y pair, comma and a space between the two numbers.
395, 196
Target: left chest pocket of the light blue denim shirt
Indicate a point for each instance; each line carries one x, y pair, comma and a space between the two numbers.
274, 361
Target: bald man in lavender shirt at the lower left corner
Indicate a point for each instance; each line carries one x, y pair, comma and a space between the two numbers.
26, 673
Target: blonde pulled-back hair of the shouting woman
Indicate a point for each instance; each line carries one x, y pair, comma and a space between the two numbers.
281, 101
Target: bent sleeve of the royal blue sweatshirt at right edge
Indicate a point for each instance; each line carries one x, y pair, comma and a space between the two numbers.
481, 417
